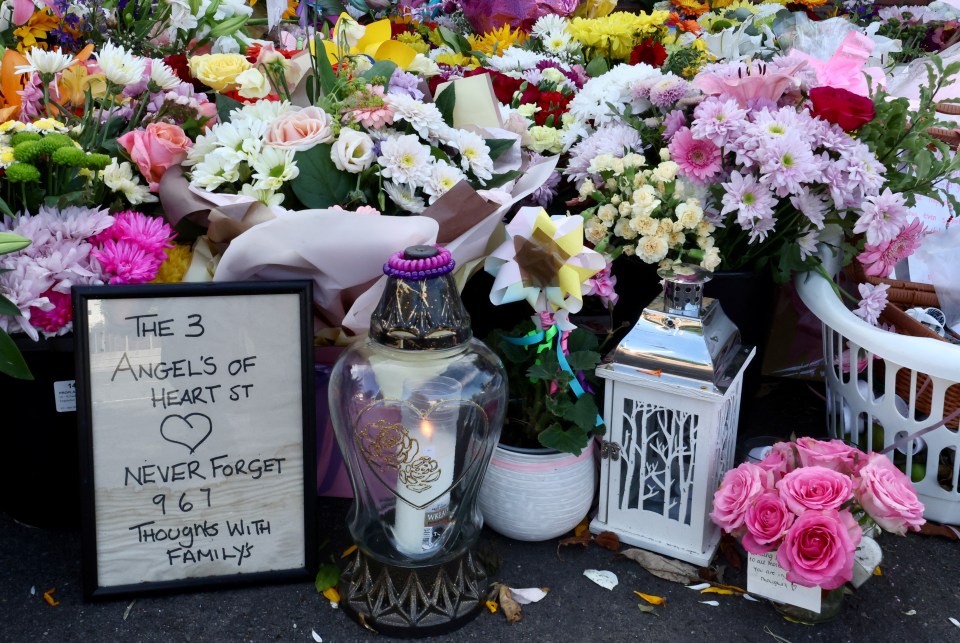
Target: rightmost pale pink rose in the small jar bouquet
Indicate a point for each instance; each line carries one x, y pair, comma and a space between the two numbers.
886, 494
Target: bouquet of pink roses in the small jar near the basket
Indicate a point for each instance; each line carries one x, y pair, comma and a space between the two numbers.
807, 500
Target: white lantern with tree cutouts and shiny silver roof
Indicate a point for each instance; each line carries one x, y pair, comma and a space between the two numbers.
671, 405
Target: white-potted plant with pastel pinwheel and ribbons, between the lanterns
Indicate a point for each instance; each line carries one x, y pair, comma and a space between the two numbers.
542, 479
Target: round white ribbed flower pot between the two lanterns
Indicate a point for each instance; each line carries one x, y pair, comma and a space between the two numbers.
537, 494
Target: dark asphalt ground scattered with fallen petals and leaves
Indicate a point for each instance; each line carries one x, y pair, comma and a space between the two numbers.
913, 600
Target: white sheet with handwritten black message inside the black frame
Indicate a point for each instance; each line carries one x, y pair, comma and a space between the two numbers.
197, 417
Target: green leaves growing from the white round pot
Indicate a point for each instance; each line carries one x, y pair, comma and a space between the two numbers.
538, 418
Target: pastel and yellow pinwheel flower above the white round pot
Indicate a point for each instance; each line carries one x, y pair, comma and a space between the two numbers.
543, 261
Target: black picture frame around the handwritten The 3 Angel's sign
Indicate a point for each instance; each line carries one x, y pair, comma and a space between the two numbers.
94, 586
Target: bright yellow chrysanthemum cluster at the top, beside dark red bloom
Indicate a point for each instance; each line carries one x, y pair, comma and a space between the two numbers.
615, 36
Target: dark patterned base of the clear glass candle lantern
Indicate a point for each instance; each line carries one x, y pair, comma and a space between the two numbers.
413, 601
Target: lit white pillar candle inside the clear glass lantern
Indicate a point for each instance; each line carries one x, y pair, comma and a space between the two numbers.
430, 416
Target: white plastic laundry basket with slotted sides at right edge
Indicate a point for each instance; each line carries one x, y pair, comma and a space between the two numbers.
861, 364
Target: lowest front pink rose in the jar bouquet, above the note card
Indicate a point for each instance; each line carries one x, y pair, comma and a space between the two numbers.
818, 549
